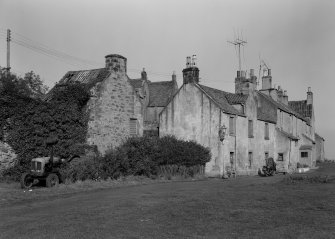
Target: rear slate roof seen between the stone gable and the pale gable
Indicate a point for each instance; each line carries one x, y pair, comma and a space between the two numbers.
160, 93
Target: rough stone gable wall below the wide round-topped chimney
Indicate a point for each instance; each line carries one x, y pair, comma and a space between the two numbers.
110, 111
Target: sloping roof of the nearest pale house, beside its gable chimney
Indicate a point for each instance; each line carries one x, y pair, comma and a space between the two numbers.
220, 97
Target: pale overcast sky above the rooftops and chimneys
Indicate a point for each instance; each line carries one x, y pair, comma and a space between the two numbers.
295, 39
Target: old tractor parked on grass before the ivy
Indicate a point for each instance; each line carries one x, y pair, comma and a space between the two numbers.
45, 169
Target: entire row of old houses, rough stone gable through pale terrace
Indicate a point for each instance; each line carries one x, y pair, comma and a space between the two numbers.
259, 123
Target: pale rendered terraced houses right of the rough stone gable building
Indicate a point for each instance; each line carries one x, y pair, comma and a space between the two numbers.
259, 124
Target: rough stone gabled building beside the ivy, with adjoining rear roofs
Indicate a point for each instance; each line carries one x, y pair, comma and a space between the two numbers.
120, 107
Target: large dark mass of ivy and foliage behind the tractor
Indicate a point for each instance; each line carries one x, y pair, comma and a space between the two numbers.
26, 121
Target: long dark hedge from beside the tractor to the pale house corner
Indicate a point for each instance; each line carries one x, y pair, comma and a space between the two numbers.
144, 156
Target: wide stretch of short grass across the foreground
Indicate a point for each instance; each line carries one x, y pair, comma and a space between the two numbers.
245, 207
